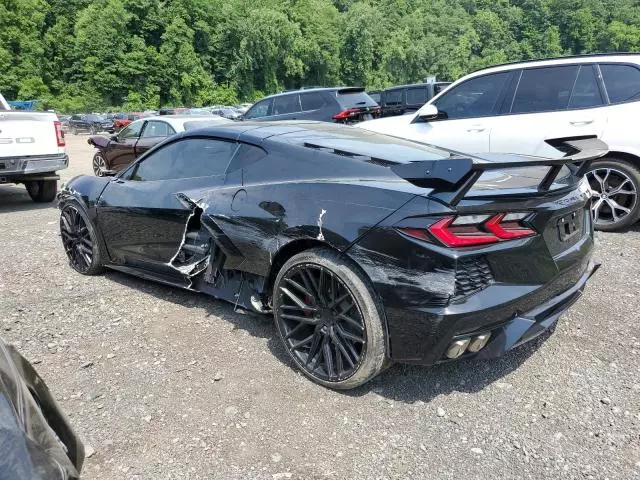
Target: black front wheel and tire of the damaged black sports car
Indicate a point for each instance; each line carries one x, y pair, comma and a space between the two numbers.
80, 240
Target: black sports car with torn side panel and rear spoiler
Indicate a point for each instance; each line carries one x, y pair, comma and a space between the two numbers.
365, 247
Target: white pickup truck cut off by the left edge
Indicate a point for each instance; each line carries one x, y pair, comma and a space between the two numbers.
32, 149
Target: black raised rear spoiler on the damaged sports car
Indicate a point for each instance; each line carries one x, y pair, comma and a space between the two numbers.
452, 179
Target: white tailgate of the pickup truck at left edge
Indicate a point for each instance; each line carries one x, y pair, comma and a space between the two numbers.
28, 134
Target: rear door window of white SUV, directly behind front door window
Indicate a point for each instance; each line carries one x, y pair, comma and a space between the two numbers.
544, 89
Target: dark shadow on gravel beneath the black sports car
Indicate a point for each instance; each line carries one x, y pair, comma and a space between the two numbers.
403, 383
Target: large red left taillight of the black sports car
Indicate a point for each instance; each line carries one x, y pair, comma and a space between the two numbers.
474, 230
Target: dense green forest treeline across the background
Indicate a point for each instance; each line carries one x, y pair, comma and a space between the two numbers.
95, 54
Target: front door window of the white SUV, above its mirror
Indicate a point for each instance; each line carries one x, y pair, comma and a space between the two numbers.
477, 97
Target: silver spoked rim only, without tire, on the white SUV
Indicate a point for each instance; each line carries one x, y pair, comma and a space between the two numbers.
614, 196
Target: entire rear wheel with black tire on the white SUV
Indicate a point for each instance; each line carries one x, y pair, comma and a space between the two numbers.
615, 186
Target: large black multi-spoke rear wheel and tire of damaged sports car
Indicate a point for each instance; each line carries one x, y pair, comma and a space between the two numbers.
330, 319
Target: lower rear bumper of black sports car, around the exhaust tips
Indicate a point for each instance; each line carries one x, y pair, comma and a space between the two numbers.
424, 334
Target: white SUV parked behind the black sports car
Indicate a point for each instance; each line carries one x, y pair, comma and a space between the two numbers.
523, 107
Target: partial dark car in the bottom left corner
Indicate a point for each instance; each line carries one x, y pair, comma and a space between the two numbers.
36, 441
